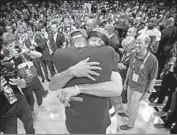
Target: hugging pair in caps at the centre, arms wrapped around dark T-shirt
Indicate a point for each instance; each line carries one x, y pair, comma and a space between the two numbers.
78, 77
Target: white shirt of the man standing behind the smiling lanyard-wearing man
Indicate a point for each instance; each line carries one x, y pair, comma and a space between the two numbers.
154, 32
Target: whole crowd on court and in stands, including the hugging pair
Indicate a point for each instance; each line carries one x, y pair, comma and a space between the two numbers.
94, 59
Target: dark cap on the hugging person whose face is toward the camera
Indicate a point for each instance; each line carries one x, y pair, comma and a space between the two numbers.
101, 33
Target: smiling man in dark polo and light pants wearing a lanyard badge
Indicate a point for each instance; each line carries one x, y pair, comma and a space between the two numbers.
141, 67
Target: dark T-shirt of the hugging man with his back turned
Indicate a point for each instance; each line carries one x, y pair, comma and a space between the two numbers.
92, 115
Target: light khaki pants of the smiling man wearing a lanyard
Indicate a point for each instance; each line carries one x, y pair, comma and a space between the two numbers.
134, 100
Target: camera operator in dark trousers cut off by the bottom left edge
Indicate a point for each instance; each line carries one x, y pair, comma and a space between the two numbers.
13, 103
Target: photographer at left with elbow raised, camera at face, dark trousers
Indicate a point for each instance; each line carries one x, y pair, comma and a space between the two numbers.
26, 70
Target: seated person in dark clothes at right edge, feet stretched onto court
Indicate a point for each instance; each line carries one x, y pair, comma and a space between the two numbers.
168, 83
